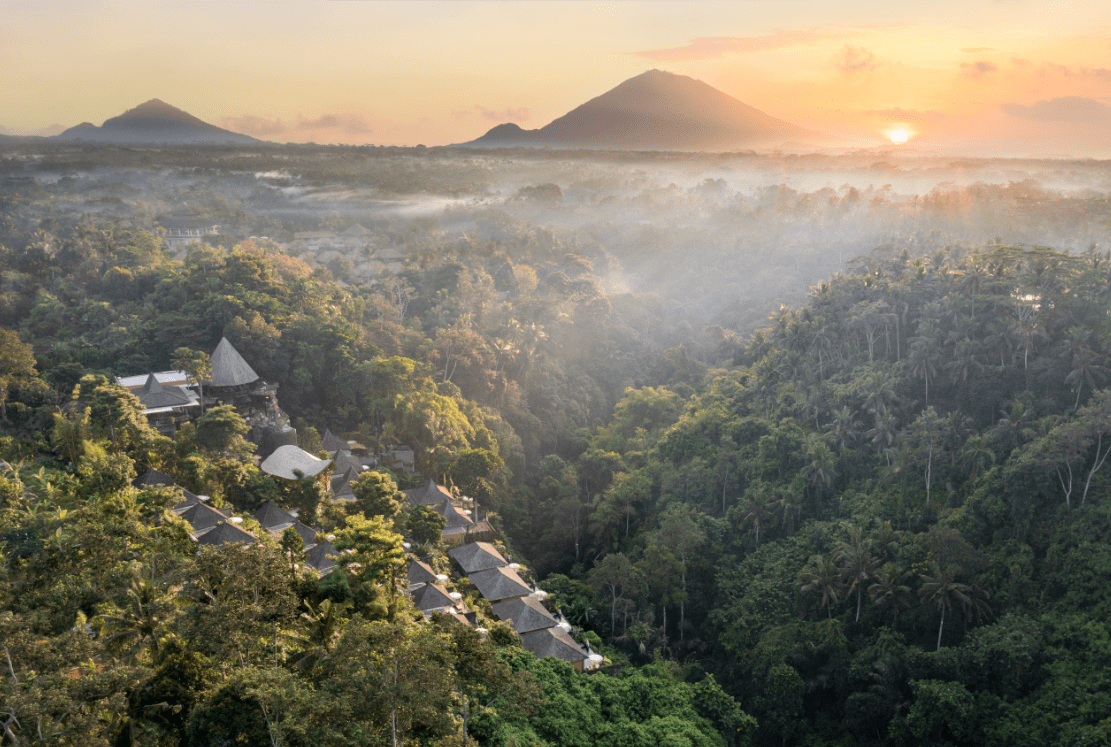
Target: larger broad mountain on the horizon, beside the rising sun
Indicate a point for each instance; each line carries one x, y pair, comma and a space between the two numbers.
657, 111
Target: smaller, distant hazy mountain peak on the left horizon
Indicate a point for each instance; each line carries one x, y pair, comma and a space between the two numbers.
154, 122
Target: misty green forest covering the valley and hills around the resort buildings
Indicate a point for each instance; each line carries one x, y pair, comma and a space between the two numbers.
809, 447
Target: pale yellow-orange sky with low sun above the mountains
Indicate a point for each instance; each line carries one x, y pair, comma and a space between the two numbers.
1025, 76
